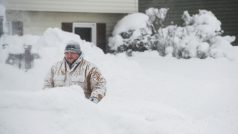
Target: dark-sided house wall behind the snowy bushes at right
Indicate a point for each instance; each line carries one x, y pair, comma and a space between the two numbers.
225, 10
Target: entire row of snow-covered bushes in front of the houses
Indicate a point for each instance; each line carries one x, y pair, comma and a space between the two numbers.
201, 35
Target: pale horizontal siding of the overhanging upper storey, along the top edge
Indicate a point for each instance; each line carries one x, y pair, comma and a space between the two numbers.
91, 6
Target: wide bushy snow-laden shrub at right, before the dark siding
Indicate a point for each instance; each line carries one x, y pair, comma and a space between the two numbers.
198, 38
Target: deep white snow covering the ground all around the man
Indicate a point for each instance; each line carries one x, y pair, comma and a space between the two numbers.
147, 94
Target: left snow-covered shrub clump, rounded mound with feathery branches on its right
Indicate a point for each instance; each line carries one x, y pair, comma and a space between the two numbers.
135, 31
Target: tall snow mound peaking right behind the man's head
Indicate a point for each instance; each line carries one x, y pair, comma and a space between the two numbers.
54, 41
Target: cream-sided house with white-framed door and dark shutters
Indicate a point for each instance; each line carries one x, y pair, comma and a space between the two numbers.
93, 20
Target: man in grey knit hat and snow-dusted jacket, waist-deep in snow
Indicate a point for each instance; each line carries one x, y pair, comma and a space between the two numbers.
75, 70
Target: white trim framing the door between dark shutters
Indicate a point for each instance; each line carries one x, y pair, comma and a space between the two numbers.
88, 25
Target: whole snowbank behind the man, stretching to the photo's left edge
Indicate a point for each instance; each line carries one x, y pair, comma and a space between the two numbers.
49, 46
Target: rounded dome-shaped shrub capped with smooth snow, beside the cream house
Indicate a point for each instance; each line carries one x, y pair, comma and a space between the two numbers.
130, 33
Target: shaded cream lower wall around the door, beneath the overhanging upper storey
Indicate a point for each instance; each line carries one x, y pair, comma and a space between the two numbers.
36, 22
